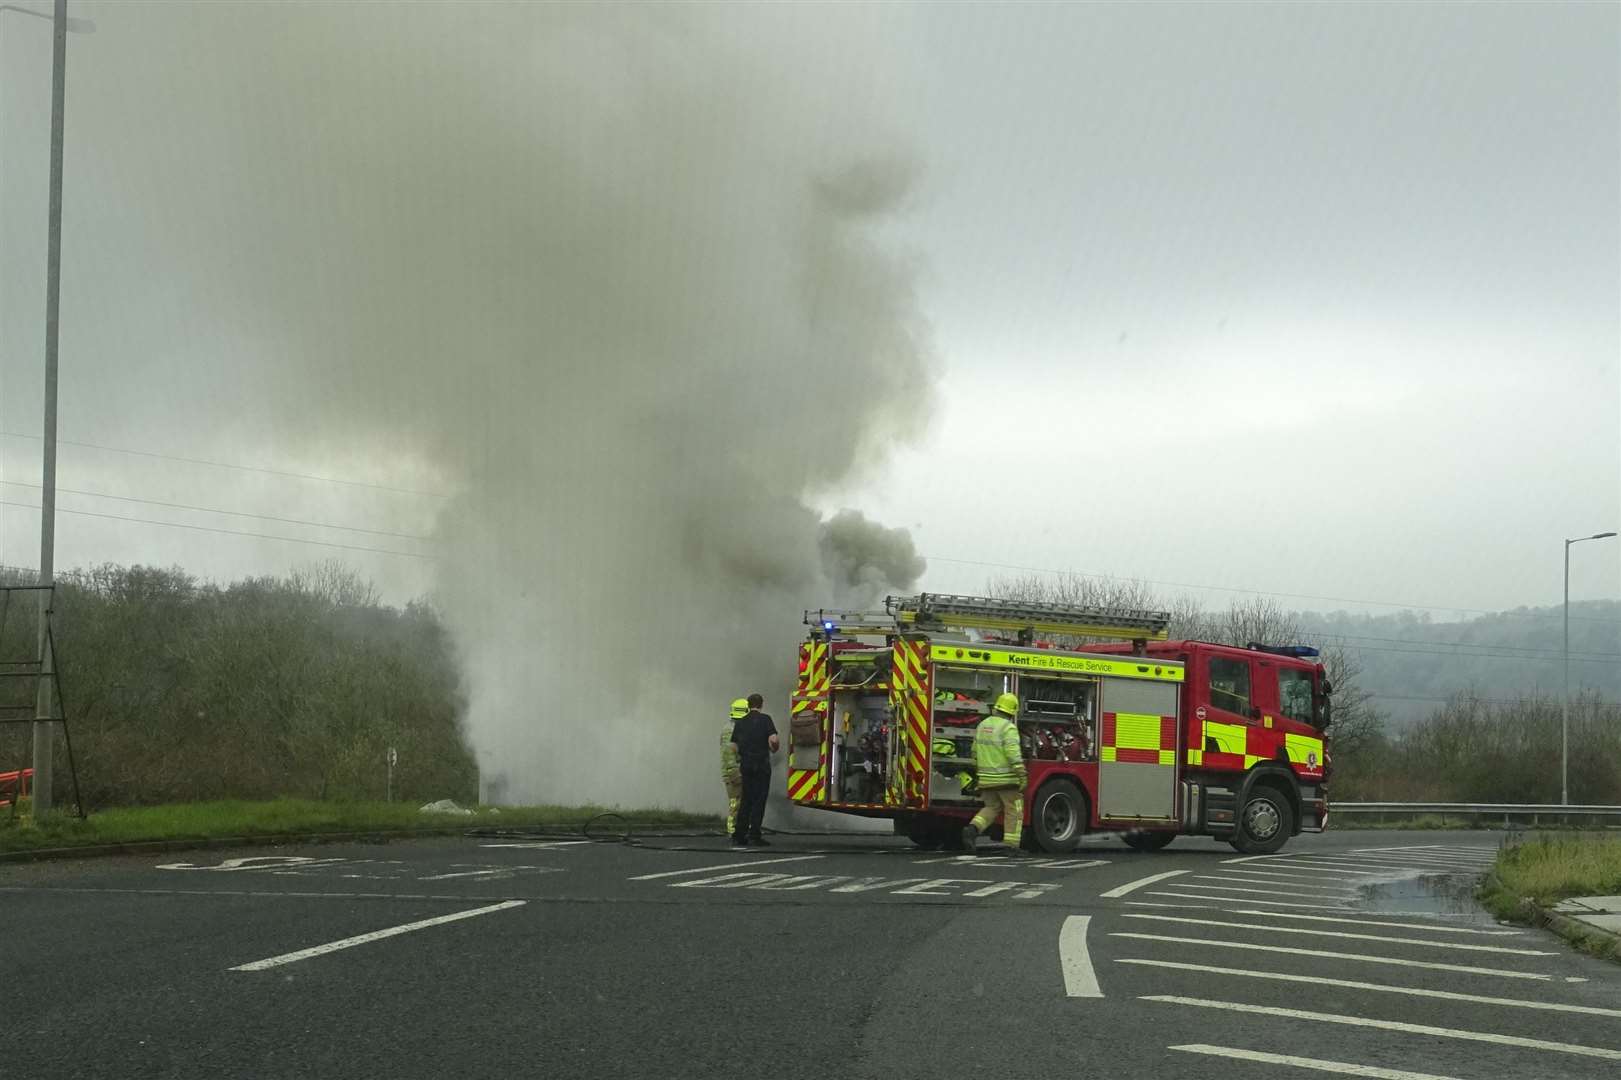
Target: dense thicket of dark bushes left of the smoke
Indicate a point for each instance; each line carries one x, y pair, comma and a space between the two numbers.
179, 690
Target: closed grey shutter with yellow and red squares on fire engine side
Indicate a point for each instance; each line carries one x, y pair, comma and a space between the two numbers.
1137, 750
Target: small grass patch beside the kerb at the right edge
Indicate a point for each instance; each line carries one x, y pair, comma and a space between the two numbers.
1531, 878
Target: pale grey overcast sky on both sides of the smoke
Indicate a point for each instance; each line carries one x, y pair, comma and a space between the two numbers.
1296, 299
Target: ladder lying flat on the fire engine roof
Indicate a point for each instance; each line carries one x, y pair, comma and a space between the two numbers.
933, 611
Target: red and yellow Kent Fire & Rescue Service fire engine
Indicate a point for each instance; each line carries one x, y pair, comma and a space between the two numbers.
1140, 735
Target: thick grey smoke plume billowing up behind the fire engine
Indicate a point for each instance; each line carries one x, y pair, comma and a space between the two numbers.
615, 275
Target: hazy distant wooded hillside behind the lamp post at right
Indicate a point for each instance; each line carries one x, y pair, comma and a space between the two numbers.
1411, 664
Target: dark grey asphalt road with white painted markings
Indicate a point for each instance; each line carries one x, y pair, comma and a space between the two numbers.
1351, 954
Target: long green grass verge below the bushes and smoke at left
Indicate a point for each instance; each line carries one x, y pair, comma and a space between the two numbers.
293, 818
